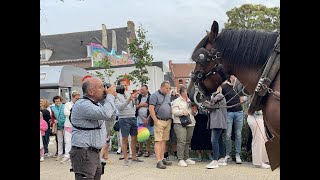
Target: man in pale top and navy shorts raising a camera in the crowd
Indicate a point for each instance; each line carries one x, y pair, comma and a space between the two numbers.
126, 105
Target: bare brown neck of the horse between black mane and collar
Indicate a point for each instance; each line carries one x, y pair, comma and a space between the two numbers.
248, 77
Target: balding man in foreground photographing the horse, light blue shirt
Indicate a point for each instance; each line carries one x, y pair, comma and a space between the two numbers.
88, 128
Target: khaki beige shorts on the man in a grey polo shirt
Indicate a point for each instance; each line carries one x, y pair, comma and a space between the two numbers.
162, 130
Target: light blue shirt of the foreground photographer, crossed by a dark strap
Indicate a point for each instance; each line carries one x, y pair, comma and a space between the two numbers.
88, 115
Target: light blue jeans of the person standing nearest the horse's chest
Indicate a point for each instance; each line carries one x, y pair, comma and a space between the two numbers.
234, 119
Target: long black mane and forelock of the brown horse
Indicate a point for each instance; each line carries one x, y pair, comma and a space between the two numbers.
244, 47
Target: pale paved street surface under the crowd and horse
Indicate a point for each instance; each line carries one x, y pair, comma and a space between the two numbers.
51, 169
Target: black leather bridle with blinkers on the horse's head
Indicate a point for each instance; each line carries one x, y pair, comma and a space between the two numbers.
202, 56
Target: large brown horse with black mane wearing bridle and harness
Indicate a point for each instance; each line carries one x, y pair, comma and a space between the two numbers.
244, 54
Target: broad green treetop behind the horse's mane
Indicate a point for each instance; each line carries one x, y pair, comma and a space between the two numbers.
249, 16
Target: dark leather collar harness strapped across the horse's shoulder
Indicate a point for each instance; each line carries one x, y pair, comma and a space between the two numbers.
269, 73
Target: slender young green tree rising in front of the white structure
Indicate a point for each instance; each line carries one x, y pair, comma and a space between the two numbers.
138, 49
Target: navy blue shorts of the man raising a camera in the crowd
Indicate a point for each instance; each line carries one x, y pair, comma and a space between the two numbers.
128, 126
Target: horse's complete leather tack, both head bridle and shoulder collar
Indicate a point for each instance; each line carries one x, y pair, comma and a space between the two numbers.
203, 56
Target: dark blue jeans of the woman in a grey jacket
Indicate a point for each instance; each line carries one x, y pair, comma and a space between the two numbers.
217, 145
